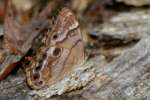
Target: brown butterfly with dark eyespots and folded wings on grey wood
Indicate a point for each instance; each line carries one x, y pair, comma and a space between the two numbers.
61, 50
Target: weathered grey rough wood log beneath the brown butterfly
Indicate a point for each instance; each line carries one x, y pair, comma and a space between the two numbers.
125, 76
